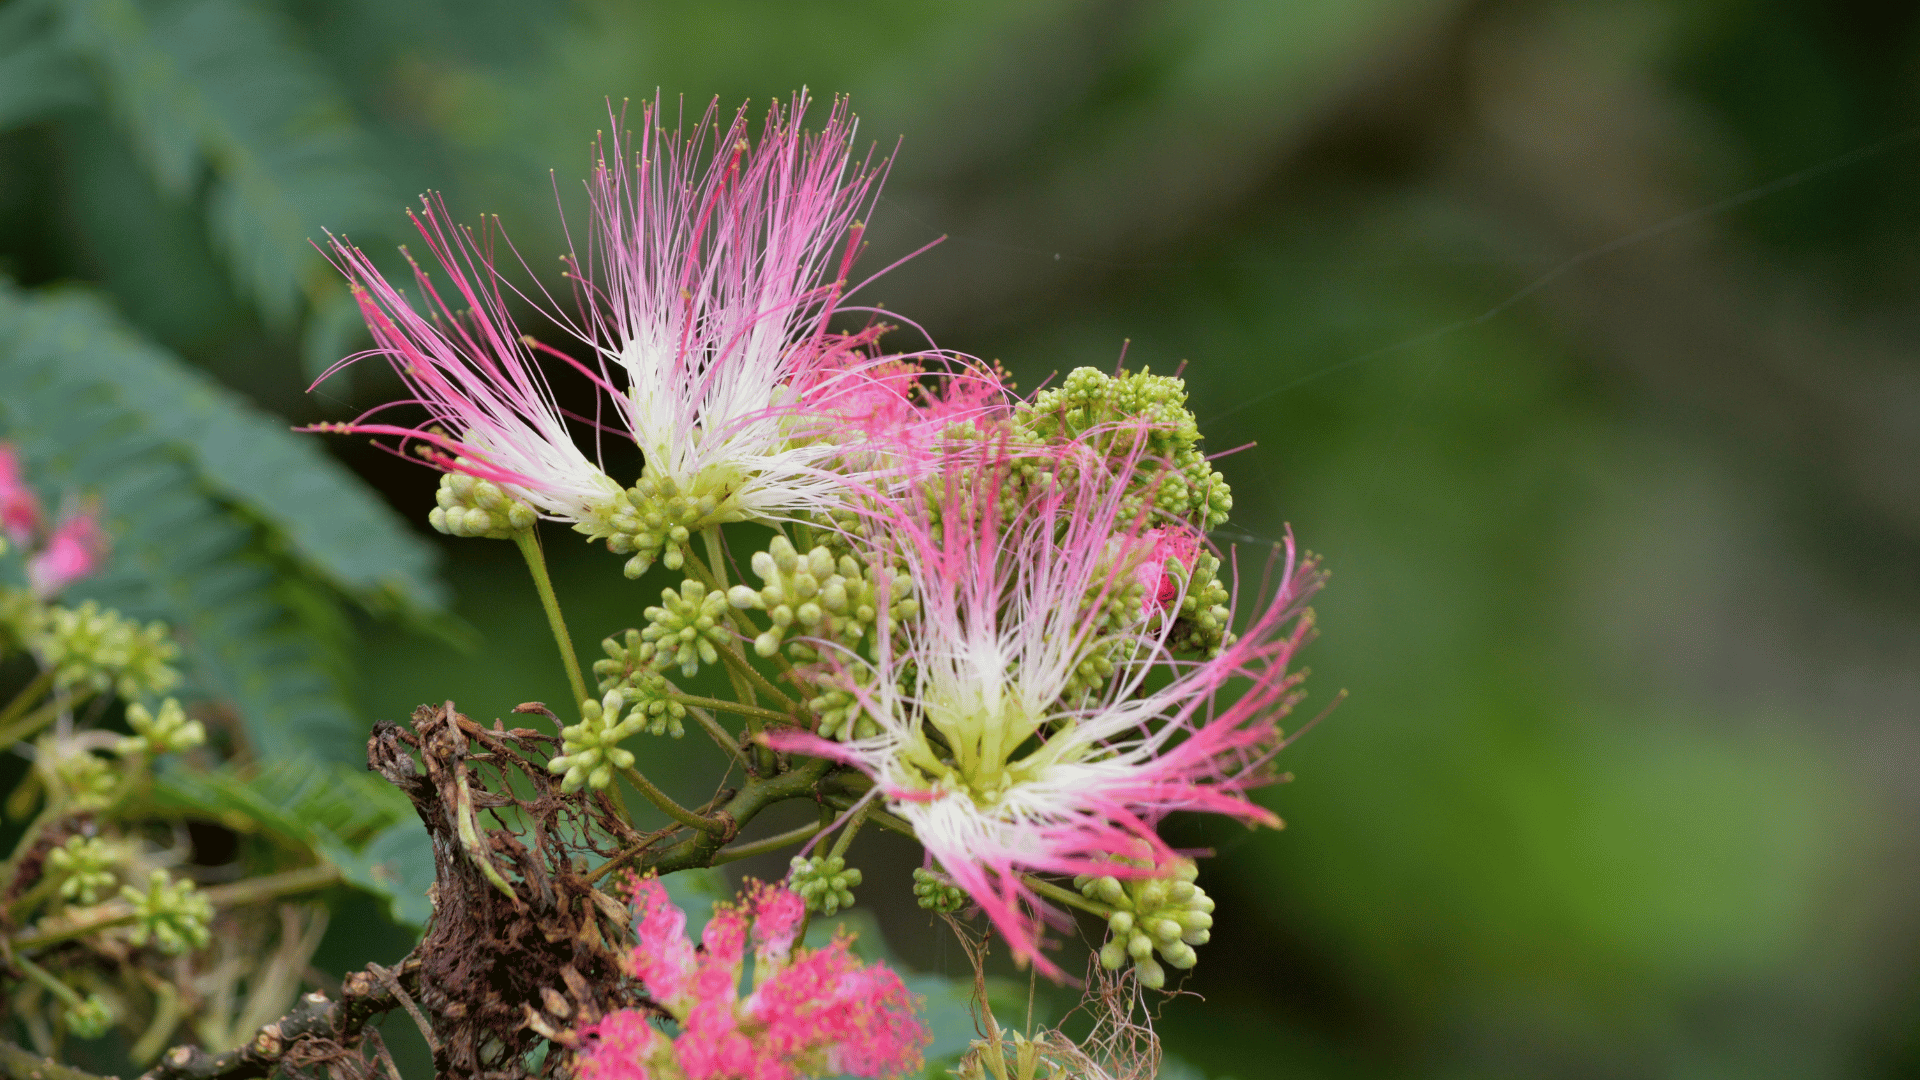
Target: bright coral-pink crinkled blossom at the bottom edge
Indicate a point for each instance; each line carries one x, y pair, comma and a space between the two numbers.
809, 1014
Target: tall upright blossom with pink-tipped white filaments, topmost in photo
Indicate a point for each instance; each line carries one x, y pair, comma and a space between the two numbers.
715, 268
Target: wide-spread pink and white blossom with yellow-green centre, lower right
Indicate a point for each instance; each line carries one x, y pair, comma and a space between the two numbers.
990, 745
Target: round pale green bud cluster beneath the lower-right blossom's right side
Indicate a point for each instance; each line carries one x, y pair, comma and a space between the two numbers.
1168, 916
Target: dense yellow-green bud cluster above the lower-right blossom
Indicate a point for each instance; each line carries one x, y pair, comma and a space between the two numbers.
1180, 479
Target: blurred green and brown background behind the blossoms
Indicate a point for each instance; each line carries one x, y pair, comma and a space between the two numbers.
1618, 470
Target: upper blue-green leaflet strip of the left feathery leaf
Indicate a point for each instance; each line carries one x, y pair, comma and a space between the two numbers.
312, 506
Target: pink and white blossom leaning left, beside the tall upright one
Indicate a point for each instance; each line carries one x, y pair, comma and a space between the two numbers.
491, 410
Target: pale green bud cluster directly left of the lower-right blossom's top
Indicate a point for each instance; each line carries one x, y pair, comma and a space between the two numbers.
827, 597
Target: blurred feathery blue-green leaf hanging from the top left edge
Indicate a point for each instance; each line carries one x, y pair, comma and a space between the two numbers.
226, 86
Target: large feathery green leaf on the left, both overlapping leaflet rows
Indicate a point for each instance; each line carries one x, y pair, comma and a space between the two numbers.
226, 526
